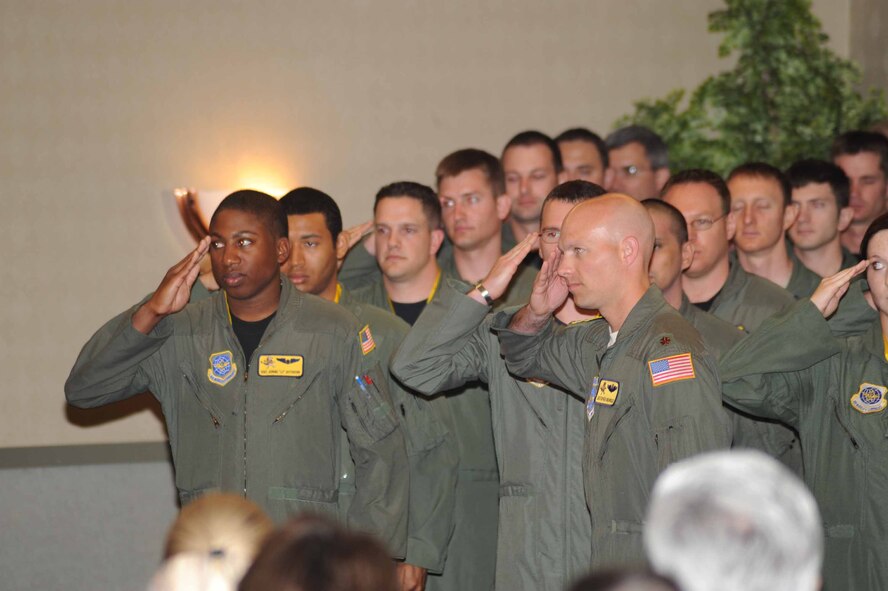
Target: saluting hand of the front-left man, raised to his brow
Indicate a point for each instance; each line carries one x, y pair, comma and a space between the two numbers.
173, 292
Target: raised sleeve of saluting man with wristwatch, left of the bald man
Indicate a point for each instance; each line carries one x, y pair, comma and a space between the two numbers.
444, 349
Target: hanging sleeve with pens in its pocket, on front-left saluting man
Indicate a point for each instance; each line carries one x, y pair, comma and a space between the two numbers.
377, 448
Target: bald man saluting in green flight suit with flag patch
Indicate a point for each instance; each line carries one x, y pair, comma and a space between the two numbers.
651, 388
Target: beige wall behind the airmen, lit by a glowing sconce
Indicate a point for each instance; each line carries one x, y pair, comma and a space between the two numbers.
105, 106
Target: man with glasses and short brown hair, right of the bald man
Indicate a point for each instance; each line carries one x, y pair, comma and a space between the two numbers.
720, 286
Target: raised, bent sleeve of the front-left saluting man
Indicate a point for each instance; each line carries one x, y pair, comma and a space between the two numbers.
111, 366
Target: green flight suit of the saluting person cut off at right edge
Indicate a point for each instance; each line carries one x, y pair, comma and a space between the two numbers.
833, 391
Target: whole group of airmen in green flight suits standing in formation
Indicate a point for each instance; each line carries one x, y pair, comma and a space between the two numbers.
490, 374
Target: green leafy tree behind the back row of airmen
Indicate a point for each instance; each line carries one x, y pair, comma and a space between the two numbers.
787, 97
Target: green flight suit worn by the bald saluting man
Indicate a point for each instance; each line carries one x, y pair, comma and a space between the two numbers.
637, 428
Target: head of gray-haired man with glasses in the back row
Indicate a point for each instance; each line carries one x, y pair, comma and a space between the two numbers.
639, 162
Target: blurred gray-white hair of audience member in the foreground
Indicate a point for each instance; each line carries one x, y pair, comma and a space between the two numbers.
734, 521
